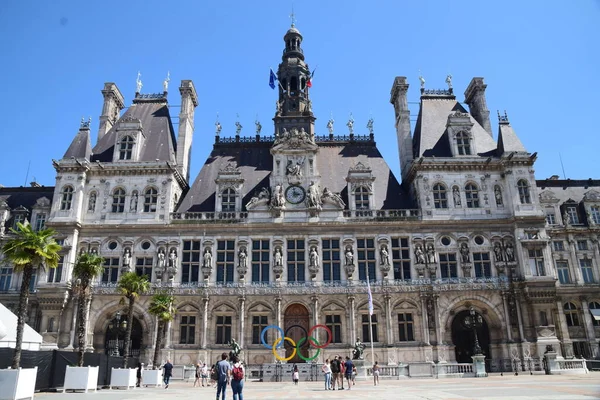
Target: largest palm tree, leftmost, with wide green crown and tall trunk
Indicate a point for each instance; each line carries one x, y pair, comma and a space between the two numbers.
28, 250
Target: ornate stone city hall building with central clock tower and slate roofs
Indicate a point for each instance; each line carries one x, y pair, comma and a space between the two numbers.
285, 229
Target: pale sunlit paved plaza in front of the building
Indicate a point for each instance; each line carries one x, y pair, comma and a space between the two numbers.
493, 387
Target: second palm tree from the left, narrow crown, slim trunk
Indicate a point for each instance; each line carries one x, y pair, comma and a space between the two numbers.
87, 267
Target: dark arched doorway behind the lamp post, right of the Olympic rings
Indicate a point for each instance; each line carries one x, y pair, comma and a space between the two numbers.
464, 339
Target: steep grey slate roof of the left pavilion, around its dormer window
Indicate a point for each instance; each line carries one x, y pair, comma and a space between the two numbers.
160, 140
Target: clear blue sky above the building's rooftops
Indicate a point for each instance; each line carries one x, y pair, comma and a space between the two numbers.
540, 60
